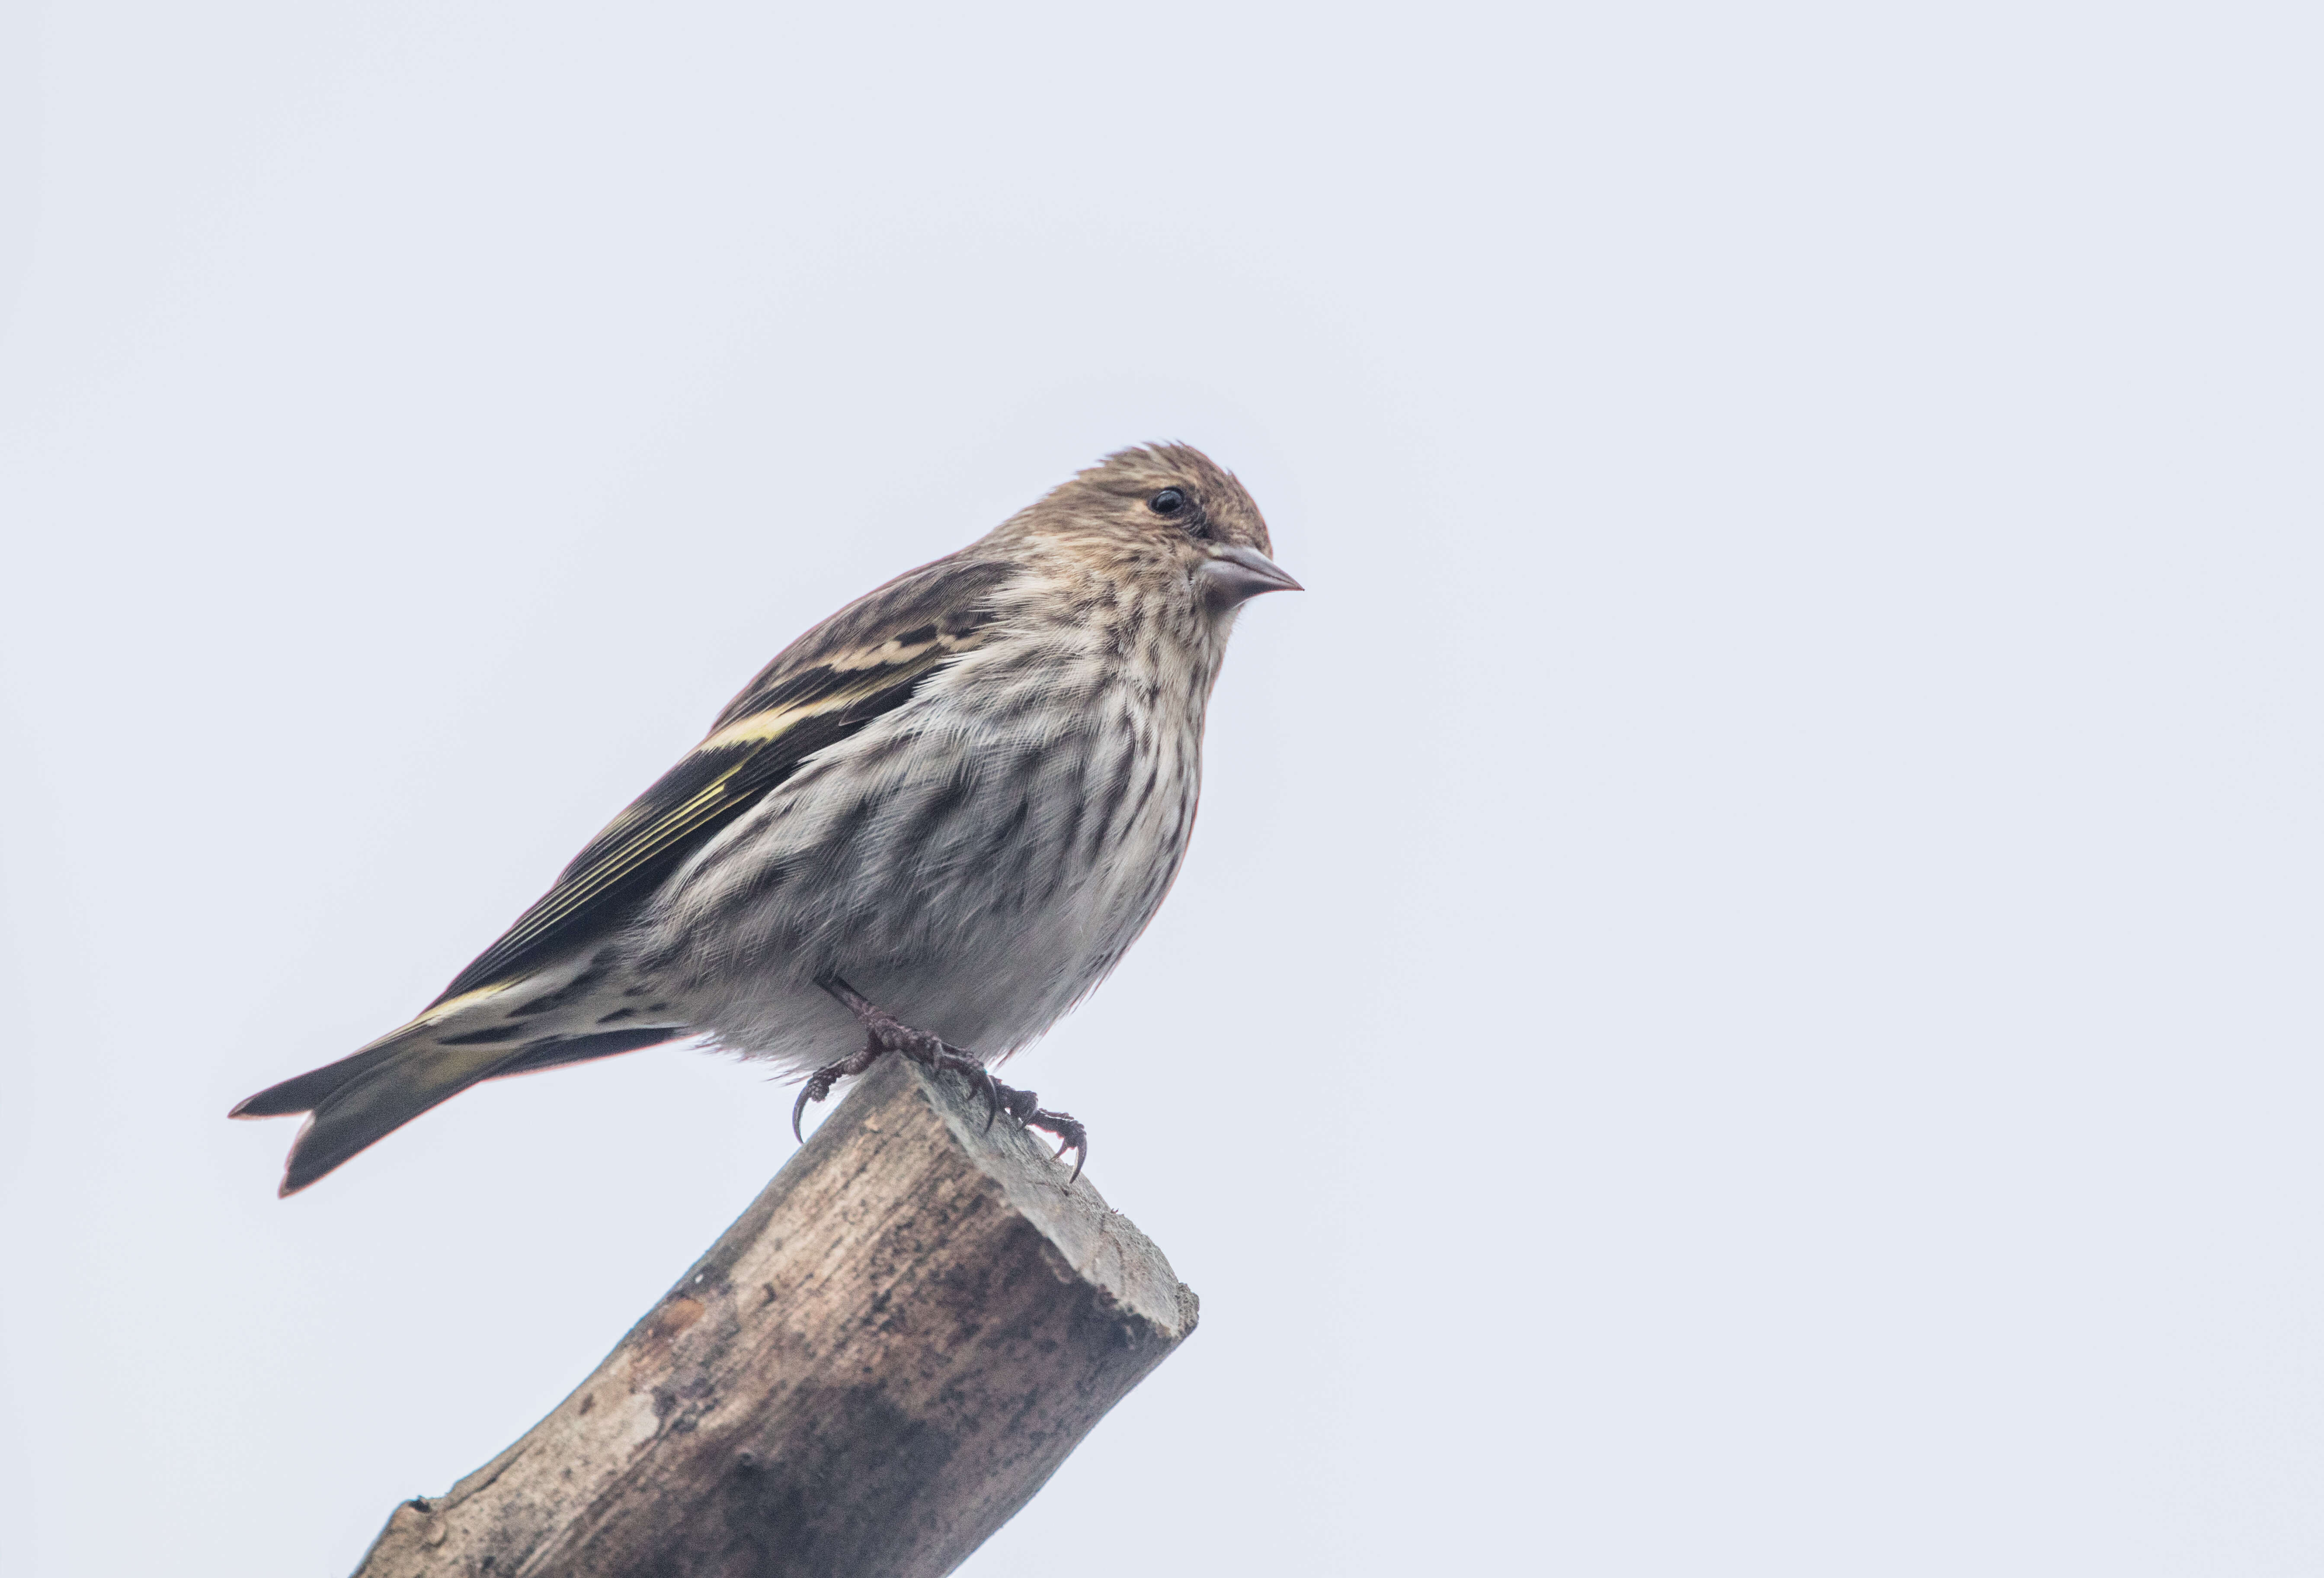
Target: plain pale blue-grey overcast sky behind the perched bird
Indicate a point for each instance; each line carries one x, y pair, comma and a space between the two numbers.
1746, 998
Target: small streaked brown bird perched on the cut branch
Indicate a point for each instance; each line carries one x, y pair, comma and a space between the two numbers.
928, 829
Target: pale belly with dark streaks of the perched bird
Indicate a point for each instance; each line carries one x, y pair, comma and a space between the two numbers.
970, 894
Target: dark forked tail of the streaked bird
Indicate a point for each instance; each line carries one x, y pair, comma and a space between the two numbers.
373, 1093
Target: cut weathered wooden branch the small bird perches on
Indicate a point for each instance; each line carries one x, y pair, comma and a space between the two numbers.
868, 1375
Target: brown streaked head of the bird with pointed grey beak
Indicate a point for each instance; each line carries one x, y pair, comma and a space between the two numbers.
1163, 510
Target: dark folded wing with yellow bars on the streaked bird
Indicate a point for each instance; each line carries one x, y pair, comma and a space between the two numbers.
856, 666
